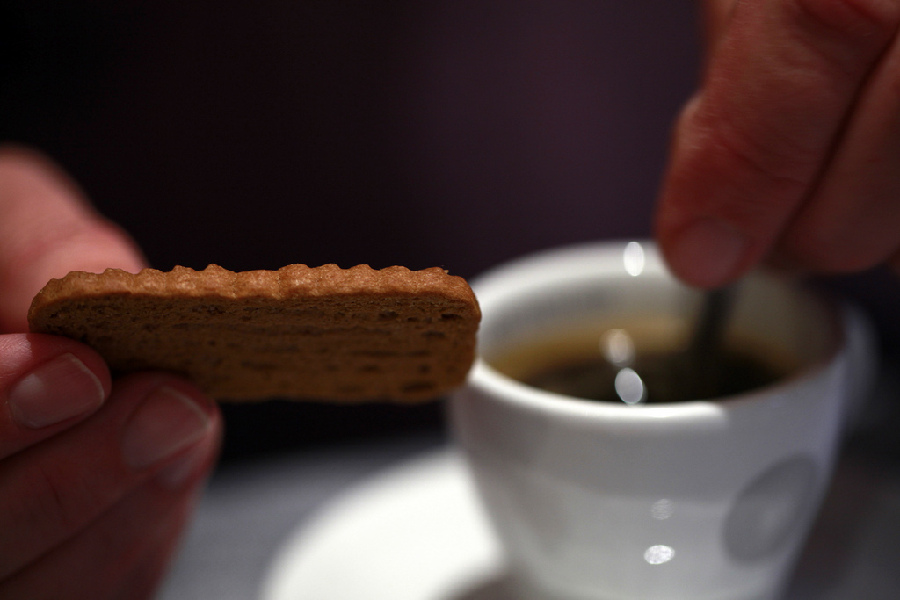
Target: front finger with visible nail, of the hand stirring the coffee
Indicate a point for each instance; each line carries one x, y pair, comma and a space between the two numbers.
750, 145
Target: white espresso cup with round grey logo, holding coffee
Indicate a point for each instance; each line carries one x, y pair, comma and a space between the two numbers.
696, 500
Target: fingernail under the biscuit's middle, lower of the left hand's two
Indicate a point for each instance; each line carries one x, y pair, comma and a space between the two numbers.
166, 422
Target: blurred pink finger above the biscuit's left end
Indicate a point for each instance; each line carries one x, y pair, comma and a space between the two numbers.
47, 229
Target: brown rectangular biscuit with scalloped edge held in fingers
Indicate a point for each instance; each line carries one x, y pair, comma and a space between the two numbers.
299, 332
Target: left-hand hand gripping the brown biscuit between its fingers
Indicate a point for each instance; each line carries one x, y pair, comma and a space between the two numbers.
85, 464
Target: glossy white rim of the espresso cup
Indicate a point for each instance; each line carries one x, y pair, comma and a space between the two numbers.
508, 390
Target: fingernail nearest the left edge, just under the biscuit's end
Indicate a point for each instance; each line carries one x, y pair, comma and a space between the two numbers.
57, 390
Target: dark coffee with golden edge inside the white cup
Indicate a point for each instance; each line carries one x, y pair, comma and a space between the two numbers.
633, 368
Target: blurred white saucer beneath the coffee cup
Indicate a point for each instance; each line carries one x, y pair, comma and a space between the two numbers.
414, 533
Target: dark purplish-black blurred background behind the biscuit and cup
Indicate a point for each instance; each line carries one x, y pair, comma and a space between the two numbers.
254, 135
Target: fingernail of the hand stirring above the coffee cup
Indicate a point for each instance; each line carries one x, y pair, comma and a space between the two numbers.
707, 252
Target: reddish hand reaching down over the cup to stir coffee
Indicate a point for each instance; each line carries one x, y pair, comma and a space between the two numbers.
790, 149
